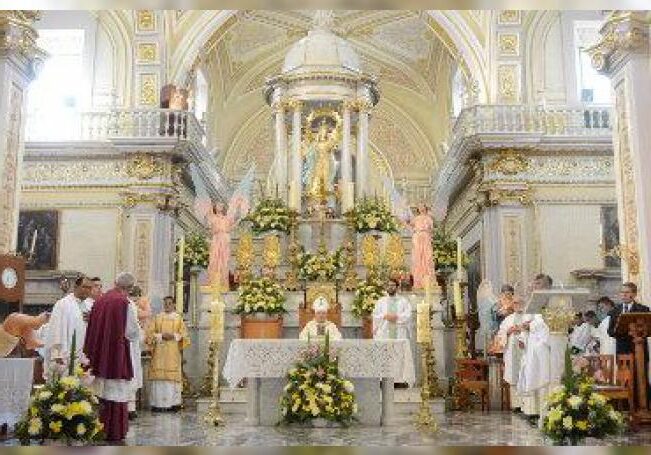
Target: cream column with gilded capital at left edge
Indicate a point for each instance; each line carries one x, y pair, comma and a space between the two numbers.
19, 58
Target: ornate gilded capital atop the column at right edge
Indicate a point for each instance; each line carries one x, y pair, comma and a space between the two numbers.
624, 34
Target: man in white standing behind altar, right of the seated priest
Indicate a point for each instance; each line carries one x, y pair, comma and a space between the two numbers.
392, 315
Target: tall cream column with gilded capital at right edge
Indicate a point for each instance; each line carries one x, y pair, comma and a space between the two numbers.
623, 54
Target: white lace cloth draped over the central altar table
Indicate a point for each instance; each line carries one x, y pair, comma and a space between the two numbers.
249, 358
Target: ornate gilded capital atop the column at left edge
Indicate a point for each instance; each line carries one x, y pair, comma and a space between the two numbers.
18, 40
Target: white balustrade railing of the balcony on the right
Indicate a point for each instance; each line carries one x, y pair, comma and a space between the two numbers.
537, 120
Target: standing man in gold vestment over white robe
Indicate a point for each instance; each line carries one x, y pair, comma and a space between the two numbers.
167, 336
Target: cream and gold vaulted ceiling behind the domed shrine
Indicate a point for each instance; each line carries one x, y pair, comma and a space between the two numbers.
401, 48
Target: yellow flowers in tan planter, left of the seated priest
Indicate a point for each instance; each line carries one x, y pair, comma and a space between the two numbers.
261, 307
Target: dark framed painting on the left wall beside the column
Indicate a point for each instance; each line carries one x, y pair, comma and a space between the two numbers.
38, 238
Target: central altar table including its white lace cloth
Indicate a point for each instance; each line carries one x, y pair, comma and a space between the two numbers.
367, 363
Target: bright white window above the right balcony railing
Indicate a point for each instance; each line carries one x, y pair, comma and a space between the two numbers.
592, 86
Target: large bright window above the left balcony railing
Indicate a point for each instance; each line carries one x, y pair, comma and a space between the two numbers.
57, 95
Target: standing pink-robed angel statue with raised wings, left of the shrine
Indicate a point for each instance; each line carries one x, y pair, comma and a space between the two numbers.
221, 220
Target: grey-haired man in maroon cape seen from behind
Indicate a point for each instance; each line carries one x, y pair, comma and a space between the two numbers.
111, 328
